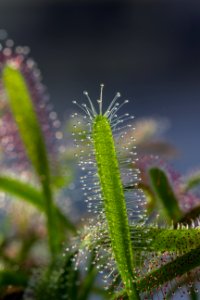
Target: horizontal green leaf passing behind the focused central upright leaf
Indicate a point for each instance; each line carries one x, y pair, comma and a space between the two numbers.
151, 239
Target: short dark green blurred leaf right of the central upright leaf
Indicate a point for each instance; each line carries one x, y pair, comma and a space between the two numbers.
165, 194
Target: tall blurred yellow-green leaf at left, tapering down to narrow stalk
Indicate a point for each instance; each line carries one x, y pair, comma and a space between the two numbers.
28, 125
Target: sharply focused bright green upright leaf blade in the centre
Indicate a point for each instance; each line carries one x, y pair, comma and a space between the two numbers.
114, 201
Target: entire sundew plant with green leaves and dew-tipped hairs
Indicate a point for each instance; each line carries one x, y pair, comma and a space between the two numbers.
139, 238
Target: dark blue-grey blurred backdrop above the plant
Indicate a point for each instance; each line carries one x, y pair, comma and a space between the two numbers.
149, 50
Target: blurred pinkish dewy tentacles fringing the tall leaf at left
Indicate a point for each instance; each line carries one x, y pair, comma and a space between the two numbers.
11, 145
